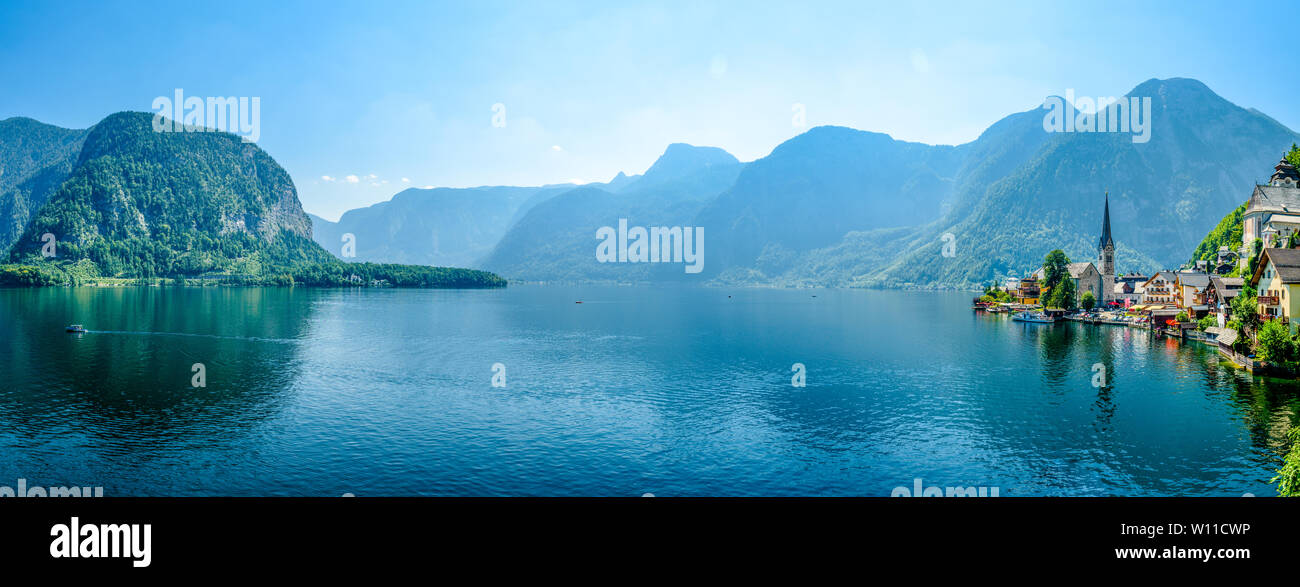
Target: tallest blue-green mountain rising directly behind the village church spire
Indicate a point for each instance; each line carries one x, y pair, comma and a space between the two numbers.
1202, 160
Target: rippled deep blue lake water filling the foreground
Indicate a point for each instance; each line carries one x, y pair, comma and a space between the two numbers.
671, 392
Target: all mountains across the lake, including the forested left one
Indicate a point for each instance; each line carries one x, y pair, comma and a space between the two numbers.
831, 207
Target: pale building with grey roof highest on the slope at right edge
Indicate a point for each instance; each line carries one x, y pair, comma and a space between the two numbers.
1273, 212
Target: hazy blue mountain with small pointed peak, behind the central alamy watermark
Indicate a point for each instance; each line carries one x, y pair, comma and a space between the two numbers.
556, 241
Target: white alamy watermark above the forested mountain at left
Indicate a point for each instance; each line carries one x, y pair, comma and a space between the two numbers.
239, 116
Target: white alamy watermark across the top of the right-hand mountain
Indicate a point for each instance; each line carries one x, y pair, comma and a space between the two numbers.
1102, 115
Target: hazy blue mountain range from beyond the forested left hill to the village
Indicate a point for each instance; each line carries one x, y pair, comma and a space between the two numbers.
842, 207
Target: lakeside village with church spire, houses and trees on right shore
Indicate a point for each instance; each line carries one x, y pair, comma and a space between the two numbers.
1242, 301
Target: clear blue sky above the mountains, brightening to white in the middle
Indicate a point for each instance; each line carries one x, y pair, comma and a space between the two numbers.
361, 101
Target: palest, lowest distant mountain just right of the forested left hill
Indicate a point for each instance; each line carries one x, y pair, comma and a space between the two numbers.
432, 227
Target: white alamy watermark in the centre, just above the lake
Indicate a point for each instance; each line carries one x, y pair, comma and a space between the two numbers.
655, 245
